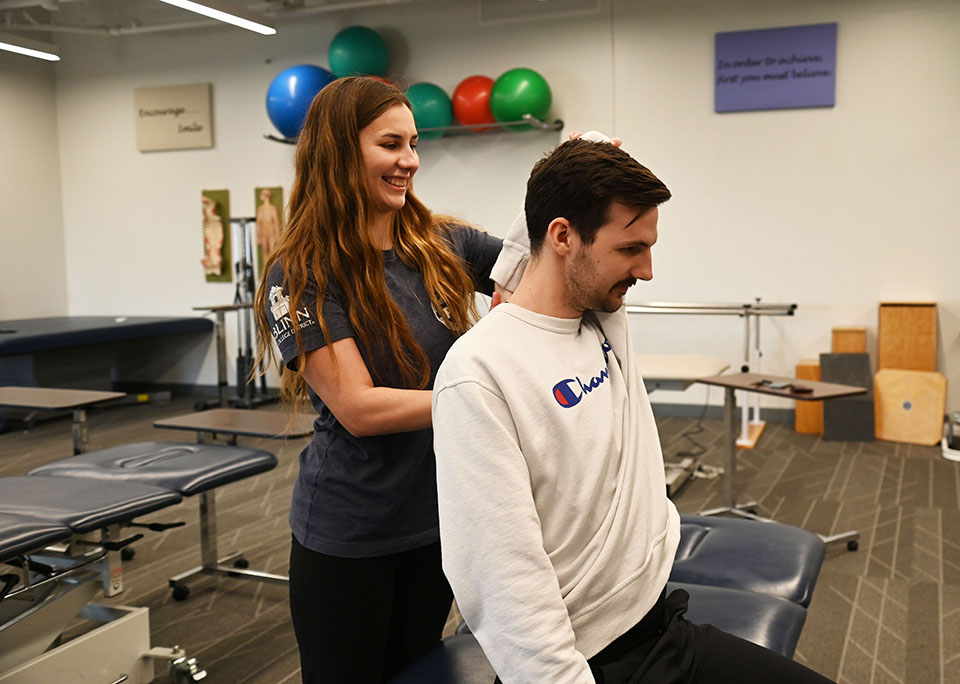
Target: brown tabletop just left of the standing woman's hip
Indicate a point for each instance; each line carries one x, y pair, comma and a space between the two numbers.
246, 422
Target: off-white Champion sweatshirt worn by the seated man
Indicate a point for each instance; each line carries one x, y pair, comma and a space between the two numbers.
556, 531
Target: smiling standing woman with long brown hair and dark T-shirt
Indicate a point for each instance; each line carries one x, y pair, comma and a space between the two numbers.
364, 295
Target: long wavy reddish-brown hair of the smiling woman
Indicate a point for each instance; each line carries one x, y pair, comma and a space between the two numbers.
327, 238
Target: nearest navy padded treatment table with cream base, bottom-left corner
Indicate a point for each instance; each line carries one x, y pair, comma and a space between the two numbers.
60, 542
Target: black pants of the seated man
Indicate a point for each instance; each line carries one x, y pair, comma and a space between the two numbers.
663, 648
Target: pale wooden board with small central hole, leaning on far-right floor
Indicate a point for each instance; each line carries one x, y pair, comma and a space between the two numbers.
909, 406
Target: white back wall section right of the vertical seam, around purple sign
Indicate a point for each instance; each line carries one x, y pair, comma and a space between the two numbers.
834, 209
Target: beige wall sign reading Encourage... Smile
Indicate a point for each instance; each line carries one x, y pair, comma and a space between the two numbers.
173, 117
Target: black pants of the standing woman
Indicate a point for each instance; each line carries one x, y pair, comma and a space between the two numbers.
360, 620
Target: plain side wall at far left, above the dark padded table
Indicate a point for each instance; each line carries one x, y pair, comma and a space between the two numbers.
32, 263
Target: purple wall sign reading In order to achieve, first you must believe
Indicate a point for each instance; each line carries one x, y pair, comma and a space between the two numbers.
782, 68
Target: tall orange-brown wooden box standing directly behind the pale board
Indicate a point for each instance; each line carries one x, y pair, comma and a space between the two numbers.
907, 336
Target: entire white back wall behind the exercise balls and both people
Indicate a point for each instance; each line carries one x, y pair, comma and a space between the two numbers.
834, 209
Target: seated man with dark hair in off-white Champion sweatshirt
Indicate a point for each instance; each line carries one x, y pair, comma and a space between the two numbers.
556, 531
